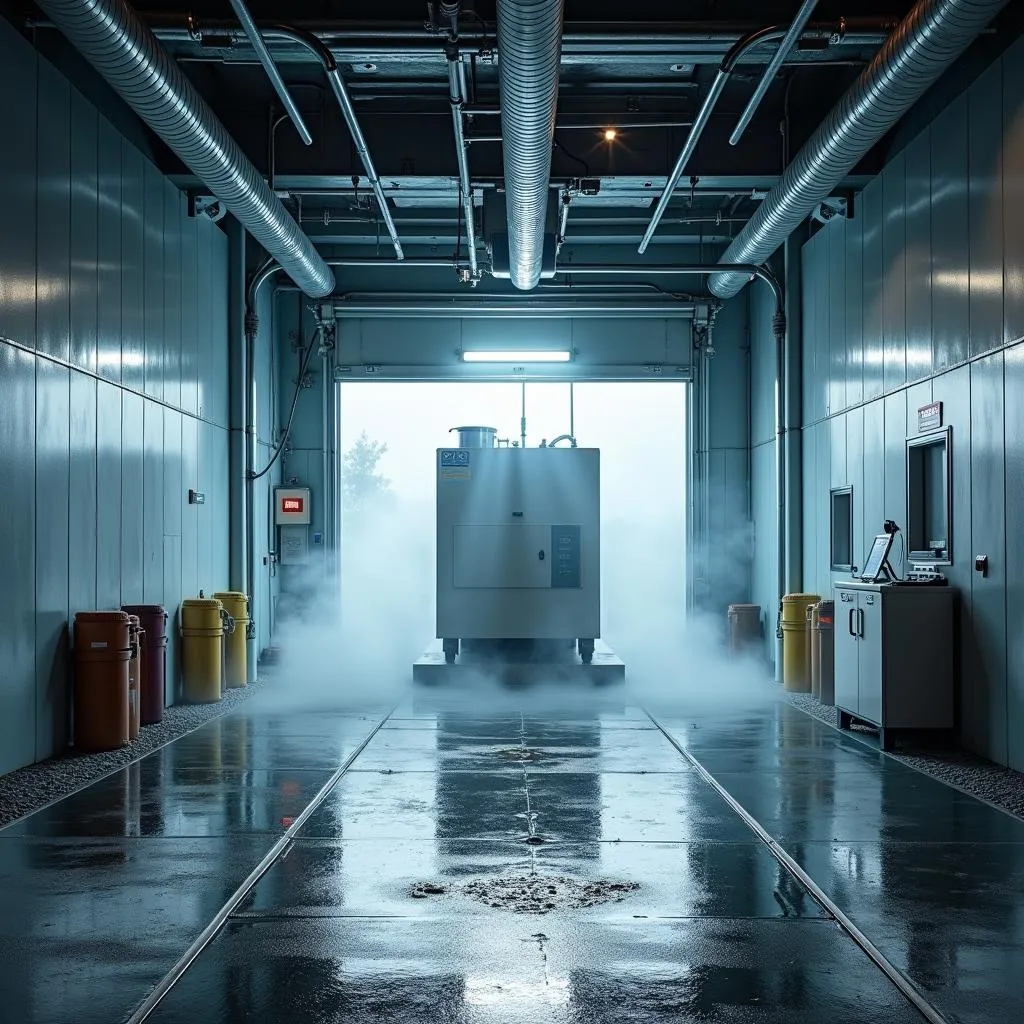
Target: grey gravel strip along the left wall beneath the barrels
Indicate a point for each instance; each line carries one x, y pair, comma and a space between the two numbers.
27, 790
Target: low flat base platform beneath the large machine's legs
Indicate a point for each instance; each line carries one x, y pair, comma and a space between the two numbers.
432, 668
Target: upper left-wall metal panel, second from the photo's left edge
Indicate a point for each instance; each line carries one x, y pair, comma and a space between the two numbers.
54, 219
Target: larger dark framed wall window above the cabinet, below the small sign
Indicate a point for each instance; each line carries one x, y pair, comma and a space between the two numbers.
929, 464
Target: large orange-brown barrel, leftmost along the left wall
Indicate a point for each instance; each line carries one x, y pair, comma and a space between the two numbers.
103, 654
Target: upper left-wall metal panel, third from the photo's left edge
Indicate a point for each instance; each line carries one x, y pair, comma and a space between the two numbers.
84, 226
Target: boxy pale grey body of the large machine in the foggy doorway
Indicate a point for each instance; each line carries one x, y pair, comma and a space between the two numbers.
519, 544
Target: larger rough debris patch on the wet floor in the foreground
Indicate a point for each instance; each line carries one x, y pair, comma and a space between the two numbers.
534, 893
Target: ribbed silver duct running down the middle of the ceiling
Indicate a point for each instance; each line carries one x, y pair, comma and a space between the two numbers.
530, 38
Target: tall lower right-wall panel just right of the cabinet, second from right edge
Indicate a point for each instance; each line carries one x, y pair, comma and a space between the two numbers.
985, 692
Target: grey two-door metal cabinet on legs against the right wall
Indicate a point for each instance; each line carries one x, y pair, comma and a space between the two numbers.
894, 657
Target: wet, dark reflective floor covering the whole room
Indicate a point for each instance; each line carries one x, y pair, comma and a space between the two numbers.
557, 865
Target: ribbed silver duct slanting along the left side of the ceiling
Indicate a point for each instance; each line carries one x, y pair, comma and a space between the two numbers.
113, 38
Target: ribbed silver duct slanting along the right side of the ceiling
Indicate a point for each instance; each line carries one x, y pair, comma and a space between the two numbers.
924, 46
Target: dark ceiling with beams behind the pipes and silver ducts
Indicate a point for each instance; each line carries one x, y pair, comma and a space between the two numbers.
642, 68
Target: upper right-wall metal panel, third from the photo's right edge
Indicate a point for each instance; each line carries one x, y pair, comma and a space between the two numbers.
951, 238
